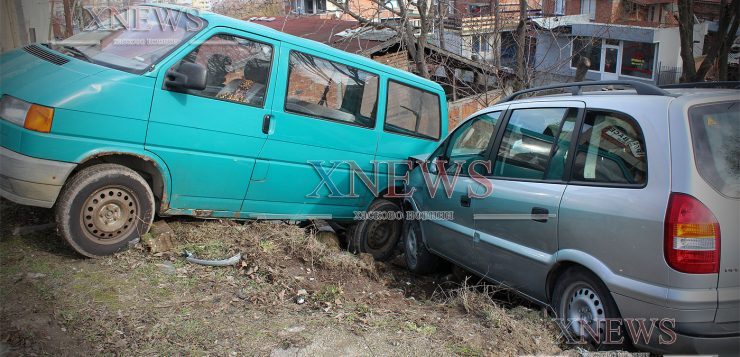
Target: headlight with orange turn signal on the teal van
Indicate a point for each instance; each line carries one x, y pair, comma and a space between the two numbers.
30, 116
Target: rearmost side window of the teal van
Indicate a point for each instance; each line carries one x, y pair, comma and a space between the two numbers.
412, 111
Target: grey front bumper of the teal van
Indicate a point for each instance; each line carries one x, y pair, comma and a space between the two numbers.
30, 181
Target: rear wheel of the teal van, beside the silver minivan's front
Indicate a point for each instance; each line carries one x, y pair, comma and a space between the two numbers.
376, 237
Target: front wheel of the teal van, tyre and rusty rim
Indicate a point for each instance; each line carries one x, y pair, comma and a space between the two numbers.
104, 207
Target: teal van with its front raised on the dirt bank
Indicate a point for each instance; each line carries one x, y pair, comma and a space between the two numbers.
161, 110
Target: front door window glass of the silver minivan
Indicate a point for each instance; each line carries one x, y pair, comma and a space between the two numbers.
470, 142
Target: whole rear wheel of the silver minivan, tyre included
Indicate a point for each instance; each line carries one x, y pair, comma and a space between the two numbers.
580, 296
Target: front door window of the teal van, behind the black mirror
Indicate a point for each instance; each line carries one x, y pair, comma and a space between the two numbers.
238, 69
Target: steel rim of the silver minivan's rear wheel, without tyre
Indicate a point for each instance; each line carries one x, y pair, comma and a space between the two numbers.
584, 304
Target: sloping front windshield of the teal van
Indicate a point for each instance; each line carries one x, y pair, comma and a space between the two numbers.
132, 40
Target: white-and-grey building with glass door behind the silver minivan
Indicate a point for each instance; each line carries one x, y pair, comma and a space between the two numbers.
622, 39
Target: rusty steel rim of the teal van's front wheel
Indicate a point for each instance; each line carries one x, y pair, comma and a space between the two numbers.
109, 214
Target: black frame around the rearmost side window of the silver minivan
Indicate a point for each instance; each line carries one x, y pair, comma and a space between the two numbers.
574, 146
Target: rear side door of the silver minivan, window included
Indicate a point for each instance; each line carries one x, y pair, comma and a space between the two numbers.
517, 224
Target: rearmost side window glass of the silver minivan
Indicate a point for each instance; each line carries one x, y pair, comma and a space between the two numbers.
611, 149
